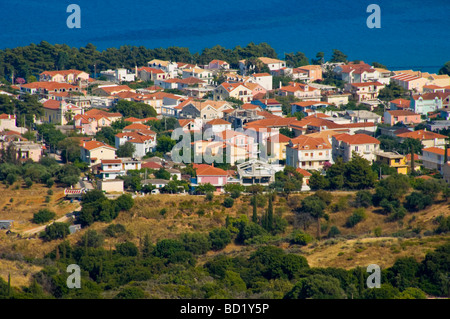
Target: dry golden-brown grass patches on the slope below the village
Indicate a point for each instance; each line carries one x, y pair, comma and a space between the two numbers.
181, 215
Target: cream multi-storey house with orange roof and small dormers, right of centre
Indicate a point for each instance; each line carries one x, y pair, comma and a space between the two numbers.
308, 152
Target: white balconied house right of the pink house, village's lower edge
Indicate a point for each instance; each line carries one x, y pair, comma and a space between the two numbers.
255, 172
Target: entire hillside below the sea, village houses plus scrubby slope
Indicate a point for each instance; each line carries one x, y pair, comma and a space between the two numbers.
244, 179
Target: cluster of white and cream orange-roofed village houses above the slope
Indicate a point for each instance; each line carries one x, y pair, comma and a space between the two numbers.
252, 120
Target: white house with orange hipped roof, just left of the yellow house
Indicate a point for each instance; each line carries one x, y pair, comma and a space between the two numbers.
364, 145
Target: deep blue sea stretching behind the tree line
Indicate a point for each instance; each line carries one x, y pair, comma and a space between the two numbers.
414, 34
